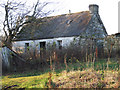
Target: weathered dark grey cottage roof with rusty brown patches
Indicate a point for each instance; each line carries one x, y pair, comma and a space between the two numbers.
66, 25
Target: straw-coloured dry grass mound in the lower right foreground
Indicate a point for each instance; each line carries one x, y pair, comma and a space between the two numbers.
87, 79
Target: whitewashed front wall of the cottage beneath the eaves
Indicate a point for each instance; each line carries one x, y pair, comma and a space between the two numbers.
34, 44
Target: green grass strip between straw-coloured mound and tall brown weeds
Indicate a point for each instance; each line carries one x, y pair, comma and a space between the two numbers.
98, 65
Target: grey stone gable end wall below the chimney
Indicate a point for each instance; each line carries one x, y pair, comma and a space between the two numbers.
96, 28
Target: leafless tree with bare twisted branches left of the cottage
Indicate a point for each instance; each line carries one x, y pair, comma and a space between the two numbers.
16, 14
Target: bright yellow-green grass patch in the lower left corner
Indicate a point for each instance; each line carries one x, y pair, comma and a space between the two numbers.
26, 82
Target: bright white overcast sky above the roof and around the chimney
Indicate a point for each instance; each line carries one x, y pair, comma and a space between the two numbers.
108, 10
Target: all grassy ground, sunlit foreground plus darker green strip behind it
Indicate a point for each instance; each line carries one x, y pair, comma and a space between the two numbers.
61, 78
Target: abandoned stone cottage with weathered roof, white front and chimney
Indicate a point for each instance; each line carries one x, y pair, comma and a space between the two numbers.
61, 29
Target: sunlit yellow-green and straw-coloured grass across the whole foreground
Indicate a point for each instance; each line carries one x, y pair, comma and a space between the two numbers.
88, 78
